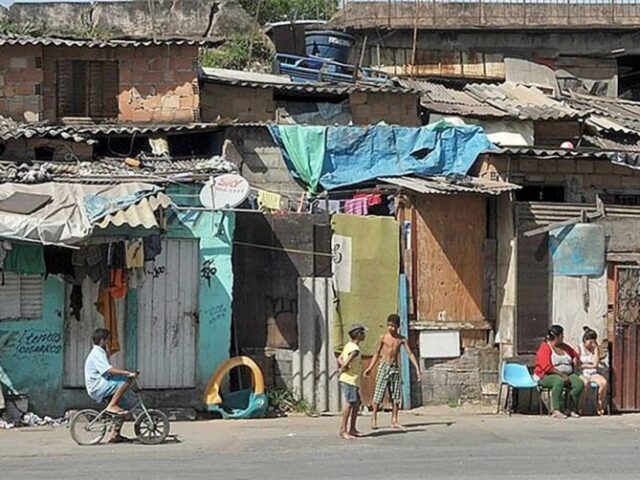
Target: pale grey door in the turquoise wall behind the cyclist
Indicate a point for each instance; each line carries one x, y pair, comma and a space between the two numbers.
167, 317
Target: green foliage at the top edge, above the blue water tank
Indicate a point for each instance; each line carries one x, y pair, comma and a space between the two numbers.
267, 11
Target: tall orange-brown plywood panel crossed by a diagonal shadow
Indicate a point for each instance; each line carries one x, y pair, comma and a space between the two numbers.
450, 258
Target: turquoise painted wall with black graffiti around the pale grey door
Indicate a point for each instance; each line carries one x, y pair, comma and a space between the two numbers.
31, 351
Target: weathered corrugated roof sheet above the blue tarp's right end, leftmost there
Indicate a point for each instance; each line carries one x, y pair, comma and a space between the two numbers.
441, 99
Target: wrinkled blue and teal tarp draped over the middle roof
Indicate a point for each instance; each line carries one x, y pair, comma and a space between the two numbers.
354, 155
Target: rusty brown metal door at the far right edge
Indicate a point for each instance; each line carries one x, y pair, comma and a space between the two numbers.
626, 347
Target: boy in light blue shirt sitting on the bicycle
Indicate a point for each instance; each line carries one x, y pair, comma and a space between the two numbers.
106, 383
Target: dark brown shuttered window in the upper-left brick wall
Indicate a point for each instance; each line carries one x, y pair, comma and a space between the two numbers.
87, 89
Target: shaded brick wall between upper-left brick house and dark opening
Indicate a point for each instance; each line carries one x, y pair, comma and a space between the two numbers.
237, 103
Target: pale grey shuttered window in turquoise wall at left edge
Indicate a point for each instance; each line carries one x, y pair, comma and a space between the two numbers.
20, 297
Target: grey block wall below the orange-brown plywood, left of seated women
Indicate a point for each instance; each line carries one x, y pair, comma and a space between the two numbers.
470, 378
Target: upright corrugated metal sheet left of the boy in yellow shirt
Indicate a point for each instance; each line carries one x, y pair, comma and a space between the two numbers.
314, 363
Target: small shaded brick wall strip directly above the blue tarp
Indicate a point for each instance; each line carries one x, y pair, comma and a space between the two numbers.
391, 108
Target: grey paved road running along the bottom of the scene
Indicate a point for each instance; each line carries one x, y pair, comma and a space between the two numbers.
449, 445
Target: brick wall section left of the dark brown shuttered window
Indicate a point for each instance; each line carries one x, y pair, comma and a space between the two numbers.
20, 77
